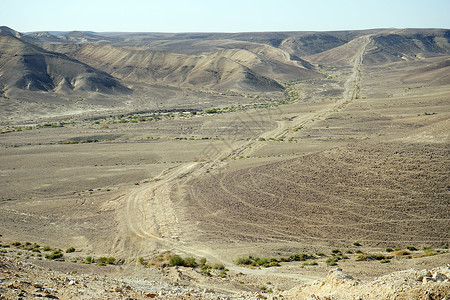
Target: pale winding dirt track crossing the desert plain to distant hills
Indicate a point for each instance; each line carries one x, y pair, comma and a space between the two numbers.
148, 221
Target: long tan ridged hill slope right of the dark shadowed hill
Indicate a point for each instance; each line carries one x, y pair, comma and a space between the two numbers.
227, 69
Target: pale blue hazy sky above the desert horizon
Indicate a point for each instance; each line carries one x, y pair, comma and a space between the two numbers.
221, 16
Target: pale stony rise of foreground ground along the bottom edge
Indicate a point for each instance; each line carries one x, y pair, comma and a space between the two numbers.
23, 280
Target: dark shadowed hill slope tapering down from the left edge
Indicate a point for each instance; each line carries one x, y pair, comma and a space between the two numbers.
28, 67
